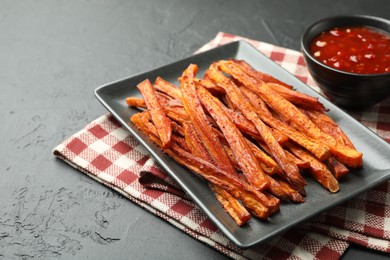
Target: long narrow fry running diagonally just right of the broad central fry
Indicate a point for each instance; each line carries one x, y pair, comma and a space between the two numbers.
288, 167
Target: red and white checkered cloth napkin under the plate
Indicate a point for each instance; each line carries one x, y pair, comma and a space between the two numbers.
105, 151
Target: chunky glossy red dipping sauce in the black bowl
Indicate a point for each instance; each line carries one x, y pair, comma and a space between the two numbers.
361, 50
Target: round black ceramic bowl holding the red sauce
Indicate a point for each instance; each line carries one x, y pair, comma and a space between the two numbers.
349, 90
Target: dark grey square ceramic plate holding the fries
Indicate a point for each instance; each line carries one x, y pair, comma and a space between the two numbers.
376, 151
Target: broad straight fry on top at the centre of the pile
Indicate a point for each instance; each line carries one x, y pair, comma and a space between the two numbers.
243, 154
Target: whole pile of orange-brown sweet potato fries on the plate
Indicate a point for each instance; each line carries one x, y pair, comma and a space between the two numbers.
251, 136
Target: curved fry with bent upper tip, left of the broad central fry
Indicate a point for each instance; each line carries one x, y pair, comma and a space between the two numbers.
198, 118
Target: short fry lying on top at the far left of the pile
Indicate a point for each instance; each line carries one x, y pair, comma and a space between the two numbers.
159, 118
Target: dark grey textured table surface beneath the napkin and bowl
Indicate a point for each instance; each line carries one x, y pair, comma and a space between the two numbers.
53, 54
